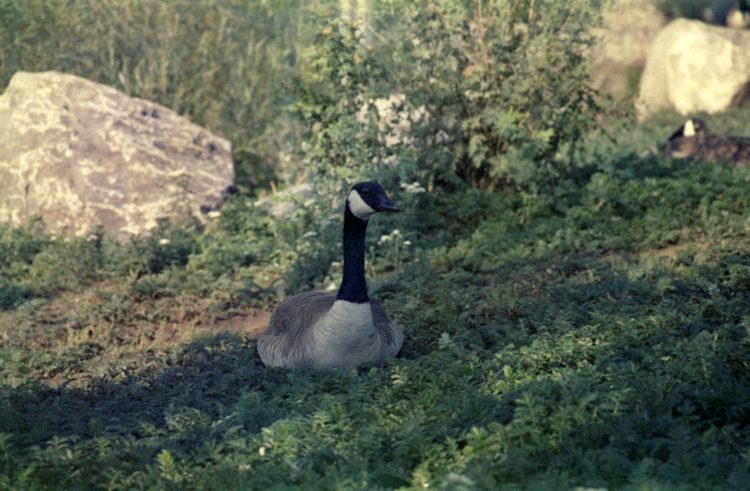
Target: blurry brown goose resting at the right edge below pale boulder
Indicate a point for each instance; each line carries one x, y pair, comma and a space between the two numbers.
693, 140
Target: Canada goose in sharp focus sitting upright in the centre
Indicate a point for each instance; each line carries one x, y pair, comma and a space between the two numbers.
325, 331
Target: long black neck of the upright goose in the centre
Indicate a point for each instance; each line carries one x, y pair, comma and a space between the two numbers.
353, 286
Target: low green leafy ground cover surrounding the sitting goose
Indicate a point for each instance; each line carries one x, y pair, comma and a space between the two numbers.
602, 342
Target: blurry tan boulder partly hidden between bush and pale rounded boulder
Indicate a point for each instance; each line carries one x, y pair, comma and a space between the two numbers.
628, 28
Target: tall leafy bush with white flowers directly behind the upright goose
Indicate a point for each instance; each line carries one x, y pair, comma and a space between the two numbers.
495, 93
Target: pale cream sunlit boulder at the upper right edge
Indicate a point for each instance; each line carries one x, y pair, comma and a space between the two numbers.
695, 67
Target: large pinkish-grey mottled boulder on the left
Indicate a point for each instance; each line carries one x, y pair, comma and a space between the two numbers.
80, 154
